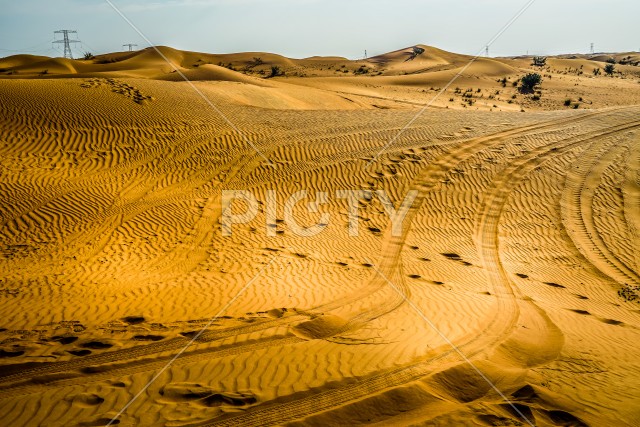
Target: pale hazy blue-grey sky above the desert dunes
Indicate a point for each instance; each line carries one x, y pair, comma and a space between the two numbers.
301, 28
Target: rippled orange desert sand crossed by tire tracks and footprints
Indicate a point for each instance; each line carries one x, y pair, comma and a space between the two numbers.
516, 265
